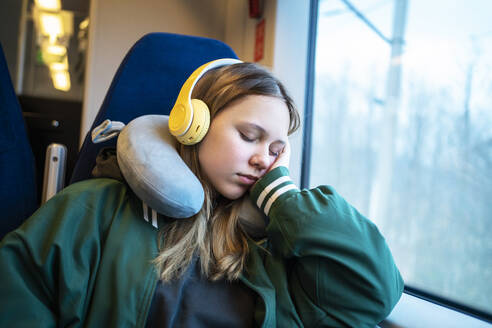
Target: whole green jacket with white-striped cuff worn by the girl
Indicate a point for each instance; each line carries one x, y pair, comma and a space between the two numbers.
84, 259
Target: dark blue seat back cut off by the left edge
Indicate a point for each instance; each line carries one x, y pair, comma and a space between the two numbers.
18, 197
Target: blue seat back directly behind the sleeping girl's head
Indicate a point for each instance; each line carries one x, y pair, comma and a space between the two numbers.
148, 82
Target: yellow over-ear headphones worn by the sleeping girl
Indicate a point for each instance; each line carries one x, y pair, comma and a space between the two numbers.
190, 118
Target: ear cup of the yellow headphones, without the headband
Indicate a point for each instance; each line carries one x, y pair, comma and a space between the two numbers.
199, 125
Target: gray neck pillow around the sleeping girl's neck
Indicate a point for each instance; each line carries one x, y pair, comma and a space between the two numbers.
148, 159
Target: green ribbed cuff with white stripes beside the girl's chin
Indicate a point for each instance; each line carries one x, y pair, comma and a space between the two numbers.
271, 187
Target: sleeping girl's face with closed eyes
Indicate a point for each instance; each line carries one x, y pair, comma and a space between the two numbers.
243, 141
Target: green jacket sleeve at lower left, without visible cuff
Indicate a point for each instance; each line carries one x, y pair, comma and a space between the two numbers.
47, 265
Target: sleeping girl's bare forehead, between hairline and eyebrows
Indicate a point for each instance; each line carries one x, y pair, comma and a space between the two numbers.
270, 113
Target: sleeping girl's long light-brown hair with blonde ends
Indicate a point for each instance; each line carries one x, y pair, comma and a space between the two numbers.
214, 233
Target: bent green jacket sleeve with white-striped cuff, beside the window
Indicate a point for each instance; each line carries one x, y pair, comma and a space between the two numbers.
342, 265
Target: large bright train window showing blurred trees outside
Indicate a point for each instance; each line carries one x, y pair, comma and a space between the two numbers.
401, 126
